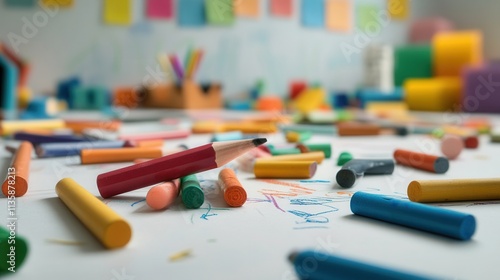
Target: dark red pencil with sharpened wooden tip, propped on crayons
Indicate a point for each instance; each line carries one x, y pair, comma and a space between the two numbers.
173, 166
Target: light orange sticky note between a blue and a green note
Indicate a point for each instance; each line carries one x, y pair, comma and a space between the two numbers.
338, 15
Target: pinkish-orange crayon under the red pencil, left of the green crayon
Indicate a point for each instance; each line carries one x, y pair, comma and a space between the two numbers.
163, 195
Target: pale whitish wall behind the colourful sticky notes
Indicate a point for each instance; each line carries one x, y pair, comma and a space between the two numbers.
76, 42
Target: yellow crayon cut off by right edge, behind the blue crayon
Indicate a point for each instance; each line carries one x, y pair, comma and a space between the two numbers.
454, 190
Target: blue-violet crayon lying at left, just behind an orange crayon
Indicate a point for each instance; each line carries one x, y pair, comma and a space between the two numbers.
46, 150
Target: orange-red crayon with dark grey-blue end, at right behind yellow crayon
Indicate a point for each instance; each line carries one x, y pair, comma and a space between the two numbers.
422, 161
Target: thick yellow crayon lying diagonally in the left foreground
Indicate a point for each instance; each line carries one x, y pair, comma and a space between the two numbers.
111, 229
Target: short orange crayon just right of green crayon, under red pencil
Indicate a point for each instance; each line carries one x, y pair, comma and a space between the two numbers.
234, 194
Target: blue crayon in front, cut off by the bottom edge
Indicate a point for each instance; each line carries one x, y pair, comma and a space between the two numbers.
318, 266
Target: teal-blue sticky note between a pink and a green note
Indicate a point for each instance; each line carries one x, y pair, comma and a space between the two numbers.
191, 13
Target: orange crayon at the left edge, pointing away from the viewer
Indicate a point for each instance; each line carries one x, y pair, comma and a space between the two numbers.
16, 181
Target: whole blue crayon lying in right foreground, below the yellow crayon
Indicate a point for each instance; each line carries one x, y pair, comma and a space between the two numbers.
415, 215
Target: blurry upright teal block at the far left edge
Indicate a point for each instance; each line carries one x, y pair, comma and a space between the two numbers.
8, 88
